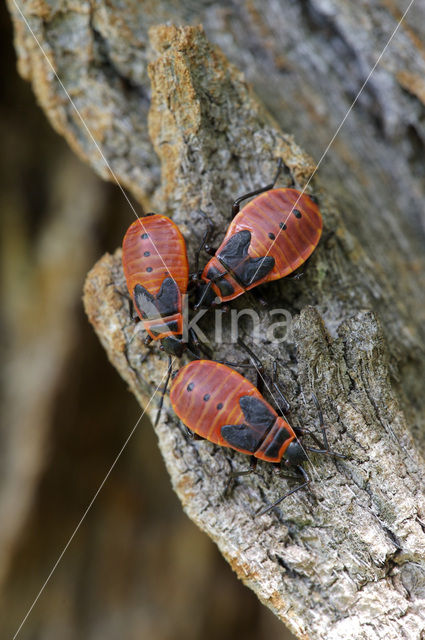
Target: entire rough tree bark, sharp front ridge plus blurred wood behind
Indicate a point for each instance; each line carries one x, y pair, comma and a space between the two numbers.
345, 560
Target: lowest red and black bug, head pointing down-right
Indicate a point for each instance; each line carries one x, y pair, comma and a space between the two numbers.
219, 404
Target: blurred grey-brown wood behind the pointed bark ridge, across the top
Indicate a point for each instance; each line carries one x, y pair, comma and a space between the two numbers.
307, 60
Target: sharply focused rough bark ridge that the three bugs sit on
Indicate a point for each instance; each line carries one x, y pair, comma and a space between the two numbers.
308, 546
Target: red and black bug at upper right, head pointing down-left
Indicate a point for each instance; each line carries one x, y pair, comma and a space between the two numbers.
268, 239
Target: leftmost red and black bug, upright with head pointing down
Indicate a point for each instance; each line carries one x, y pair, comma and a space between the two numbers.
156, 270
